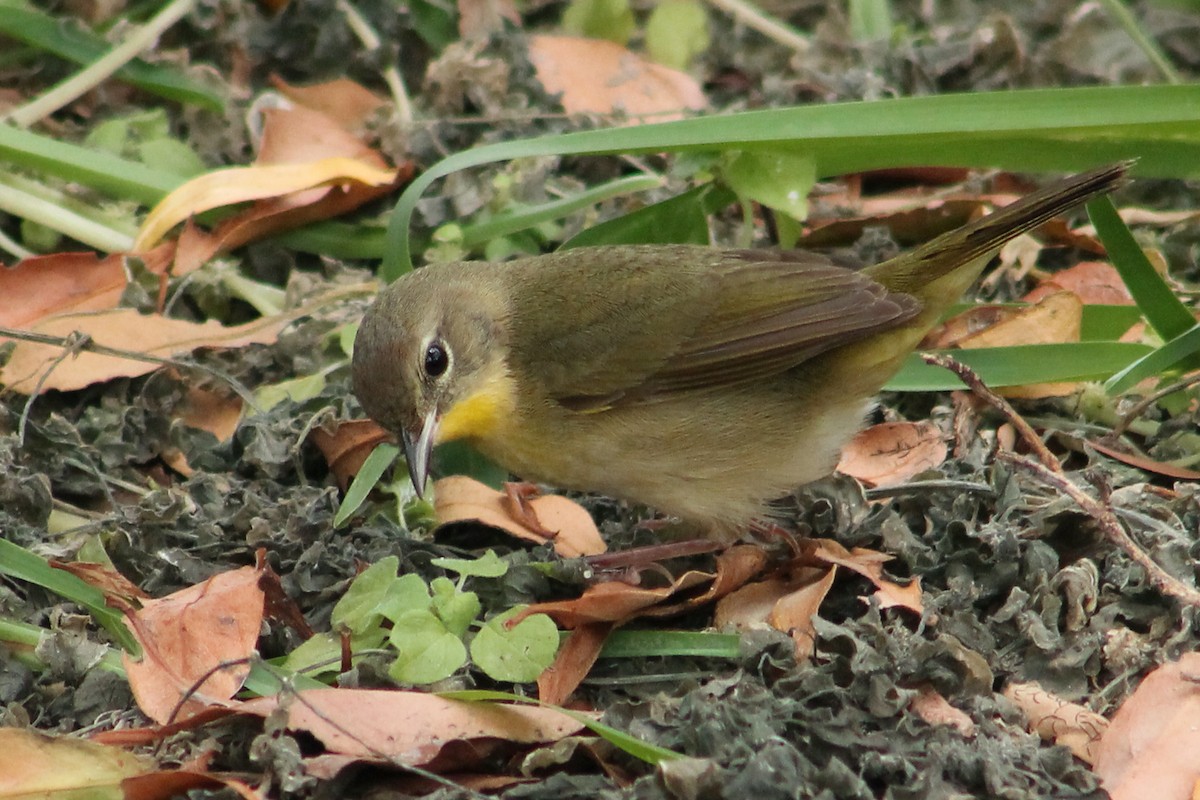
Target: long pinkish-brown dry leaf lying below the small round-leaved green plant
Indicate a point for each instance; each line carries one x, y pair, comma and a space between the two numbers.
410, 727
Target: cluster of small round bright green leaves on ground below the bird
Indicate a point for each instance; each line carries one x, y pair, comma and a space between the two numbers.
431, 627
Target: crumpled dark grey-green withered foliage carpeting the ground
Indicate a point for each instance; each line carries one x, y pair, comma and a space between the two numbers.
1016, 582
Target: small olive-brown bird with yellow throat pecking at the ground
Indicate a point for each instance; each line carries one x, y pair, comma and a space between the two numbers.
701, 382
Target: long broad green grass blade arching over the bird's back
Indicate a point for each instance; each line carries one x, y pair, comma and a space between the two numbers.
1029, 130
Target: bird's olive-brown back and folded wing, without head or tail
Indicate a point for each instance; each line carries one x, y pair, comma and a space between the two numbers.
697, 318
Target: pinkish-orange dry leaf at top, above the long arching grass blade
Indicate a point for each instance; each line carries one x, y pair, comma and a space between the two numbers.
601, 77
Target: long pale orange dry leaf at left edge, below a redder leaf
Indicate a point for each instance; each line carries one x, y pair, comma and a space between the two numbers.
123, 329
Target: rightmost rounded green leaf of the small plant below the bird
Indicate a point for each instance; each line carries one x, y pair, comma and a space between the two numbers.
519, 654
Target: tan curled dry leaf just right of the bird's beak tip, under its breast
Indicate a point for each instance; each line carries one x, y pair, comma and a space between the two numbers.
460, 498
